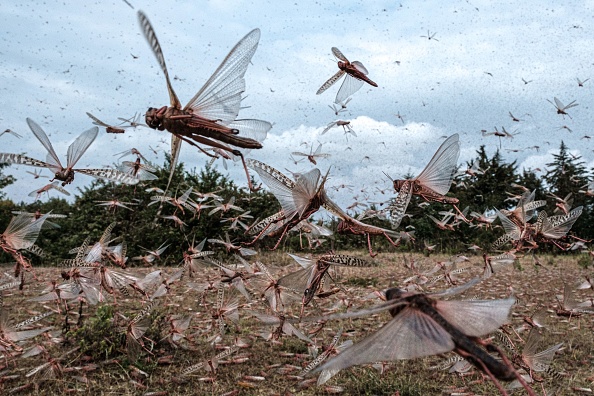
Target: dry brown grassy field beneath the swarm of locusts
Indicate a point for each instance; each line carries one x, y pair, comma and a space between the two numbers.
101, 366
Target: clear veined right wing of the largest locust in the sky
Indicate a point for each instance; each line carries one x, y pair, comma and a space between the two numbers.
220, 97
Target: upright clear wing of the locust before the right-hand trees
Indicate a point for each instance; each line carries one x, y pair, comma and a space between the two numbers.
439, 172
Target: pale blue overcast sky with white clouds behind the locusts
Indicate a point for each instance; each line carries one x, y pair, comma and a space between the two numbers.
59, 60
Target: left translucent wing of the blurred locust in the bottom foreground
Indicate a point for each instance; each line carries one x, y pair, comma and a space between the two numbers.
410, 334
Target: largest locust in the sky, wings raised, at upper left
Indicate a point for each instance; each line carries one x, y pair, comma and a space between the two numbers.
209, 118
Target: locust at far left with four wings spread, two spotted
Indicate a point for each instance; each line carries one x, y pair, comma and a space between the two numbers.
75, 151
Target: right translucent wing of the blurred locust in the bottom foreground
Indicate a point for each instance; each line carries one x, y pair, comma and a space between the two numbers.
476, 318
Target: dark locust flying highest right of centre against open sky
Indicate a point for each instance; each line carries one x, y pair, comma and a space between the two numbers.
356, 75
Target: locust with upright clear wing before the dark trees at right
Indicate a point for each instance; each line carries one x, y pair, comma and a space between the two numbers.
432, 183
